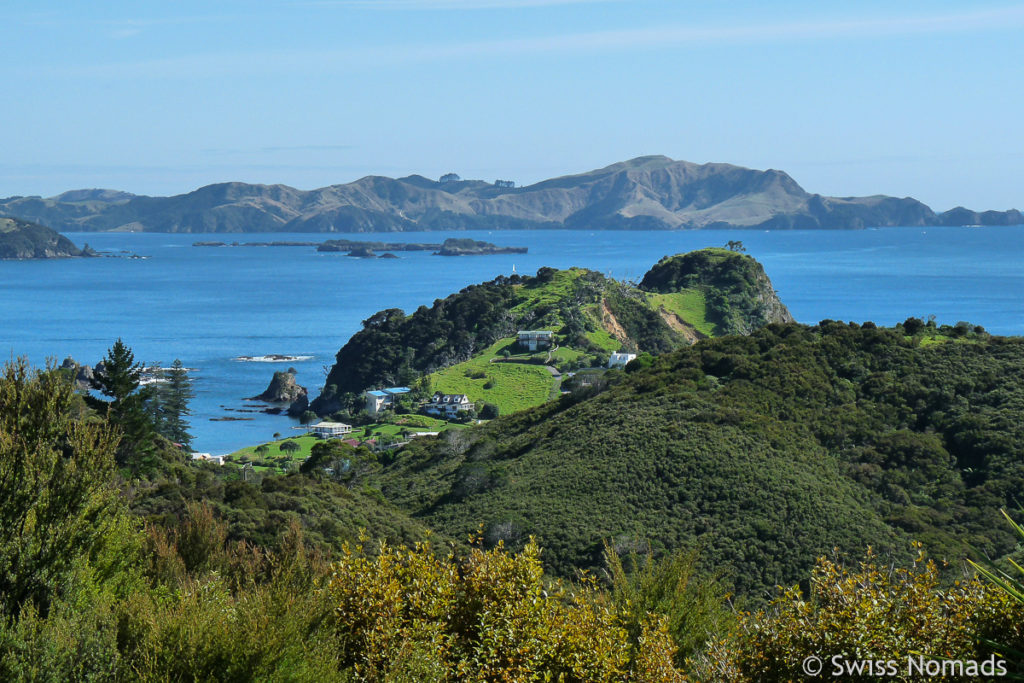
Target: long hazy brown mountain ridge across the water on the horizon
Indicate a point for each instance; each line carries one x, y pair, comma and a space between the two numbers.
648, 193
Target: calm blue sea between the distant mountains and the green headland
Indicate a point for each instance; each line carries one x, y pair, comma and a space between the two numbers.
208, 307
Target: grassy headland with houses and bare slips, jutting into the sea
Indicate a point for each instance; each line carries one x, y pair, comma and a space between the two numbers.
462, 341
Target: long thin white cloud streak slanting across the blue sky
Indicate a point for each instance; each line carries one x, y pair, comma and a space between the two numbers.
288, 62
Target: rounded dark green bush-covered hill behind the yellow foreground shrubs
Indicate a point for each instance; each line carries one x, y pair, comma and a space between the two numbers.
767, 451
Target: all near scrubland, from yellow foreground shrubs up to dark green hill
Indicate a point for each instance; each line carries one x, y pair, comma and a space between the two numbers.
691, 484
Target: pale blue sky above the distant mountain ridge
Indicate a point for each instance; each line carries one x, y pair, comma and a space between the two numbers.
910, 99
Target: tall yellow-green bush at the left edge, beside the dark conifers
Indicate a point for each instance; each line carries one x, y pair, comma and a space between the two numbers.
57, 502
